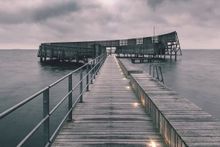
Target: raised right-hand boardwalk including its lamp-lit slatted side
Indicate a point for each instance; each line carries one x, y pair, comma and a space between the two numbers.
178, 119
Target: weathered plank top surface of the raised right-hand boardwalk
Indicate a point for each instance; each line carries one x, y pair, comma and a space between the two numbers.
195, 126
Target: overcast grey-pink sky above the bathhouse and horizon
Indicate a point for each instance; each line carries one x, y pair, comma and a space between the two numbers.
27, 23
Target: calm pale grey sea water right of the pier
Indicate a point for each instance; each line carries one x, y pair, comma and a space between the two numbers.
195, 76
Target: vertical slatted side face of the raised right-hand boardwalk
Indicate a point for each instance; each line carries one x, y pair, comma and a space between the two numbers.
161, 123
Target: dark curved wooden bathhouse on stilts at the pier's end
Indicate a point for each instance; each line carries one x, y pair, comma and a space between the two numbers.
154, 47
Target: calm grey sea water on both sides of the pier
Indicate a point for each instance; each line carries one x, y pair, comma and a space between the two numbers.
196, 76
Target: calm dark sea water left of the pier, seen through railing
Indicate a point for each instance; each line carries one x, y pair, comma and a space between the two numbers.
21, 75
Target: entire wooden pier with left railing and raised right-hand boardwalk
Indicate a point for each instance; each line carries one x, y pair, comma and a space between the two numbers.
124, 107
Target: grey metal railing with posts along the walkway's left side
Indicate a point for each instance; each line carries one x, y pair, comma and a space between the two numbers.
91, 68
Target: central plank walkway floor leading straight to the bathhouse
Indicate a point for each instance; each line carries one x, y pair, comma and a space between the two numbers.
109, 116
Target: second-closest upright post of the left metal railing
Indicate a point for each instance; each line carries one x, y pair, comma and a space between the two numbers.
70, 99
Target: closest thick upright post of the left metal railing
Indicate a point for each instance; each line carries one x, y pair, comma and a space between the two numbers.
46, 110
